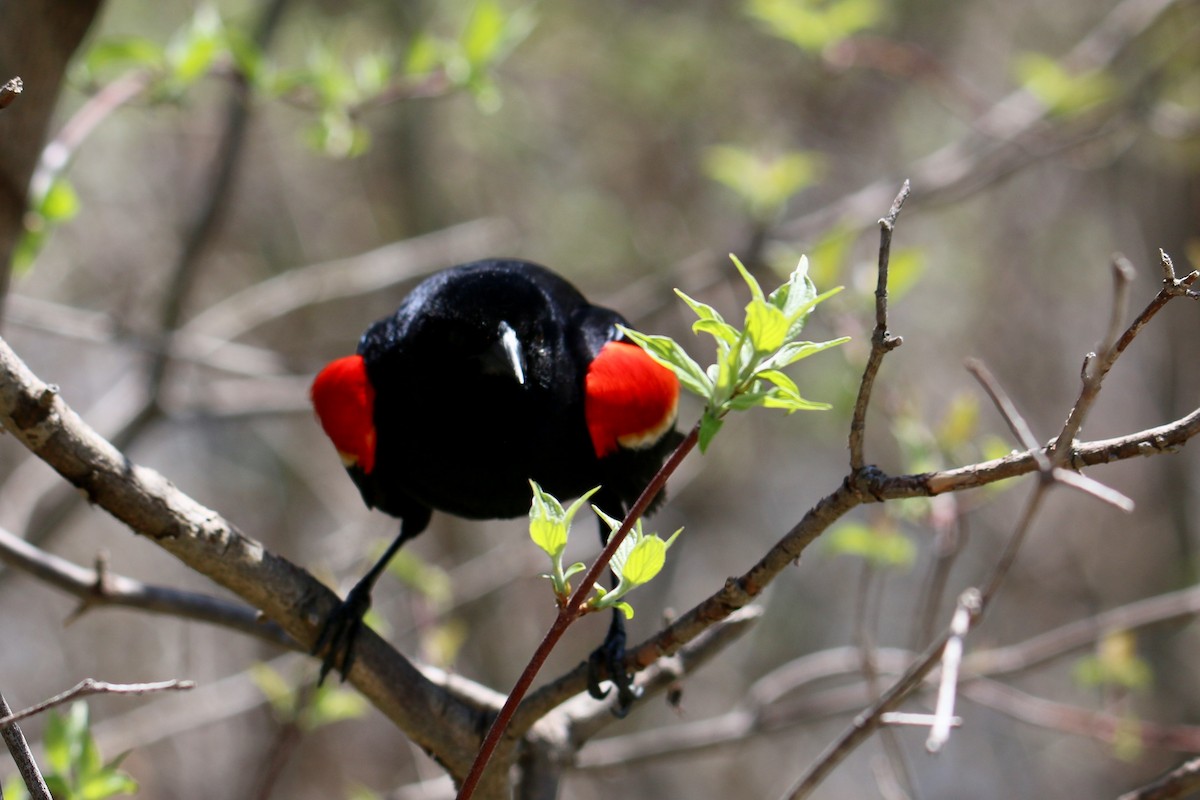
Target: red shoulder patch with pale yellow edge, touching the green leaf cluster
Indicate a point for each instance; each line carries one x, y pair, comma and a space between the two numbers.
631, 399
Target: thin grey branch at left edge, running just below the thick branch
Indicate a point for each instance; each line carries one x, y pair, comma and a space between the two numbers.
101, 588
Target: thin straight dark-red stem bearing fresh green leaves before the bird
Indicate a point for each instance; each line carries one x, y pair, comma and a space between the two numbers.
569, 613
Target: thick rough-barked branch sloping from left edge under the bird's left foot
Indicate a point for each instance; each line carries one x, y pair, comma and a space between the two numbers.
153, 508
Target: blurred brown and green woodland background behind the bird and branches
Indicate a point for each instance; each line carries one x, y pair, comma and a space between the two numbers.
631, 146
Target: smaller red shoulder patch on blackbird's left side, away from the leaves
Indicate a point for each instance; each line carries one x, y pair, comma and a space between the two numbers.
345, 404
